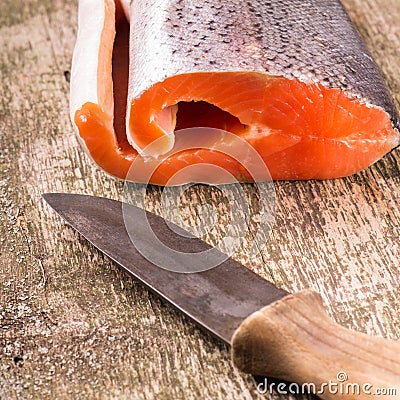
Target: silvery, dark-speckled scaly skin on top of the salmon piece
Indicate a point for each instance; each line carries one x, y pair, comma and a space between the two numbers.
309, 40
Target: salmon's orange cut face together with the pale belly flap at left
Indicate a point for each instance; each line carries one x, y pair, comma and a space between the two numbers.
300, 130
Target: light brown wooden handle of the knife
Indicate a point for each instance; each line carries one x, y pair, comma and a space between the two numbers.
294, 340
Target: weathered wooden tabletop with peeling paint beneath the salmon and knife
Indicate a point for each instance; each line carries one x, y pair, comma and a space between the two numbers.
72, 325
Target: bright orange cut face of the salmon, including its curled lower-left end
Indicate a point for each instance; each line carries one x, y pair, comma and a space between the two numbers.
301, 131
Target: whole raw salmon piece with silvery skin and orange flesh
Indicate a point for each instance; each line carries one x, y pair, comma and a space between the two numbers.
291, 78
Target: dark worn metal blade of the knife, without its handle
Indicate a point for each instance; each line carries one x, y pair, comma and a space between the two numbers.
218, 299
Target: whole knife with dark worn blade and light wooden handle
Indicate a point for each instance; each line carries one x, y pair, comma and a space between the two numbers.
272, 333
